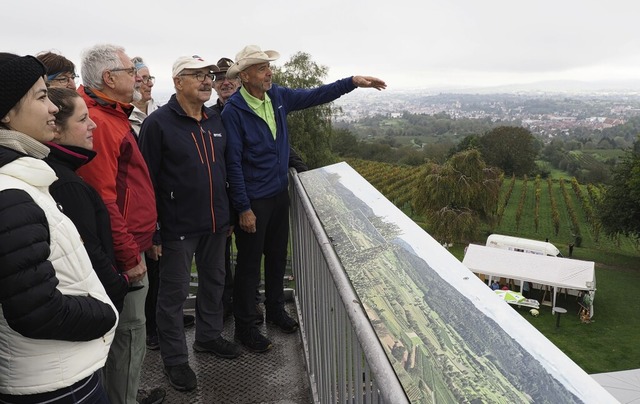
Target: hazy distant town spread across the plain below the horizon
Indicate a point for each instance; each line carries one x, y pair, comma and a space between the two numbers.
546, 114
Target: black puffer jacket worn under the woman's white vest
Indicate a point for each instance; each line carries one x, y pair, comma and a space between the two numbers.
31, 303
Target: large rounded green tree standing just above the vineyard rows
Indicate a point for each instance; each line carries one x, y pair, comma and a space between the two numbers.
511, 148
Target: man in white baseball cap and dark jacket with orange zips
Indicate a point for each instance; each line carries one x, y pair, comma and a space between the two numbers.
184, 143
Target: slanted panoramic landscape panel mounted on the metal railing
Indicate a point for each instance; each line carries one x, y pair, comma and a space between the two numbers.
447, 335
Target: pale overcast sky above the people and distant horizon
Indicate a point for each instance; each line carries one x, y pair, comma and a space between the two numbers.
409, 44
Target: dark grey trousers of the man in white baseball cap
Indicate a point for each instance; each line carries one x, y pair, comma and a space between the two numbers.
175, 276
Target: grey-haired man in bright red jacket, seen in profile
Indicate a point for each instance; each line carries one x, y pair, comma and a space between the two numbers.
120, 175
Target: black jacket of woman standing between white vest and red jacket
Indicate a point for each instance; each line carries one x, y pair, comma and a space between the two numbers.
84, 206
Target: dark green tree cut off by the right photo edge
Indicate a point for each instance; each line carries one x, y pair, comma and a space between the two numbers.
619, 208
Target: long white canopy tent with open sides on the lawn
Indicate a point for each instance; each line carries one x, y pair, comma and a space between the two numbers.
560, 273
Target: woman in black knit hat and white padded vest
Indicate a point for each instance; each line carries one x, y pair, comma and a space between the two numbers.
57, 322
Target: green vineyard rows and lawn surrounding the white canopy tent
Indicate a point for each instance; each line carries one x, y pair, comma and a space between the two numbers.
562, 210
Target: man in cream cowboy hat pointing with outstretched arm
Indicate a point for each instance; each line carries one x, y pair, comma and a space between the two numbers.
257, 162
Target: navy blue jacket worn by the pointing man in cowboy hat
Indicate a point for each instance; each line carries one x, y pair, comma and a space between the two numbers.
257, 164
